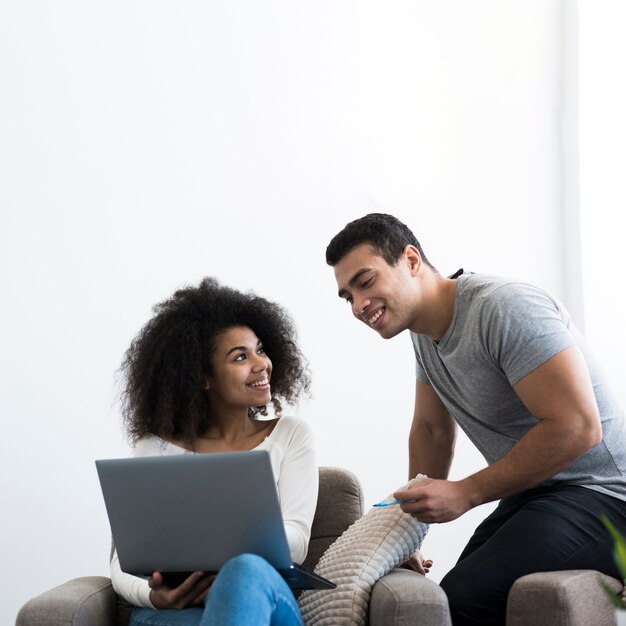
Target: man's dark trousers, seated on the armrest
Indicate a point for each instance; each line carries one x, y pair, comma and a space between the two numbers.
540, 530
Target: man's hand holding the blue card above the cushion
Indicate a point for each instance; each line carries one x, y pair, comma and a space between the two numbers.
434, 501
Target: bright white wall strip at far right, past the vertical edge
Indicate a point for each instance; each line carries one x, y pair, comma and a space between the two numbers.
602, 130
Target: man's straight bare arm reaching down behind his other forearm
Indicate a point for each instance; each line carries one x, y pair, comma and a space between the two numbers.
432, 435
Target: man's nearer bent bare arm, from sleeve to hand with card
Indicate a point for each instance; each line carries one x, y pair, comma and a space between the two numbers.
560, 395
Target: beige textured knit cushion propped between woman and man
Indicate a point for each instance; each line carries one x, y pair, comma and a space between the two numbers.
373, 546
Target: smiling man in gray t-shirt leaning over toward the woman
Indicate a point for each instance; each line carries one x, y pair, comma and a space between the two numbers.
503, 360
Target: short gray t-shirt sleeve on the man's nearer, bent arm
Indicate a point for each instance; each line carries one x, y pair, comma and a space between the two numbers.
523, 327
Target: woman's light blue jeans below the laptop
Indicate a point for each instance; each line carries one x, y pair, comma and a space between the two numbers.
248, 591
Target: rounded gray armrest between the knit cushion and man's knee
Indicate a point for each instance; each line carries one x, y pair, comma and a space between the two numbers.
406, 598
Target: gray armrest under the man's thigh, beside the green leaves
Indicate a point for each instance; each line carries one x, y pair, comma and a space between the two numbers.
571, 597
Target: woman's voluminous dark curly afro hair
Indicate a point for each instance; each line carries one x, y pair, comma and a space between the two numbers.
166, 365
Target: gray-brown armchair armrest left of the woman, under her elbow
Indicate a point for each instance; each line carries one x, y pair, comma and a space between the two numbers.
87, 601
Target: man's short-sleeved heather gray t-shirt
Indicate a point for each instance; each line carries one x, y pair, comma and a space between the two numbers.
502, 330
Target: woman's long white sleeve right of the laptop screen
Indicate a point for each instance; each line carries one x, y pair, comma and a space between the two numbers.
297, 487
